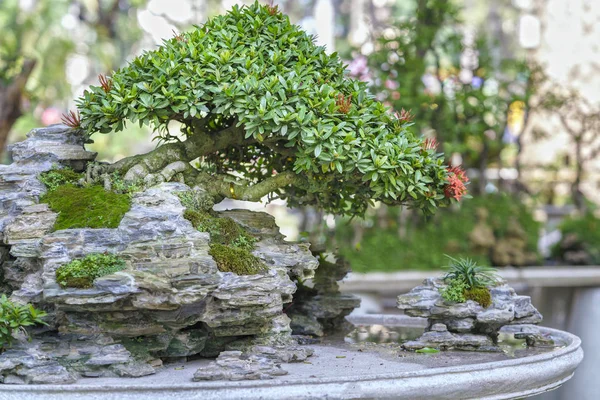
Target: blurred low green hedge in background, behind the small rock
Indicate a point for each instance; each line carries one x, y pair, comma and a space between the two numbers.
424, 241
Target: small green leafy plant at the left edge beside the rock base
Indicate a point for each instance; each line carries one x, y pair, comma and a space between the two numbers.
15, 317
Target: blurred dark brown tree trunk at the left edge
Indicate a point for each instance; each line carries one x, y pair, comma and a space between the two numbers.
10, 101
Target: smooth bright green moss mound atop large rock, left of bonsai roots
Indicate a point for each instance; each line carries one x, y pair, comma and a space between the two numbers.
86, 207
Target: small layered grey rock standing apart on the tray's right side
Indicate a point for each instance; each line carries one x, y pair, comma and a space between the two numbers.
468, 325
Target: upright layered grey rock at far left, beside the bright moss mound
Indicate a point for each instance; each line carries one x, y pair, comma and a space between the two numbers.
22, 220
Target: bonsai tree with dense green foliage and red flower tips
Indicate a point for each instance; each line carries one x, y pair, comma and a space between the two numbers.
264, 111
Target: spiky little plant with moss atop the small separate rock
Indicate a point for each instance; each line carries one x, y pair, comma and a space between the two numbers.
468, 281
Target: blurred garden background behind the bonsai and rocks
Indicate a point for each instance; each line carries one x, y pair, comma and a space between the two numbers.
509, 89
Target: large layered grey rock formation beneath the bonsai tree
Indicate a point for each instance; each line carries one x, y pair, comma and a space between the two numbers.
170, 301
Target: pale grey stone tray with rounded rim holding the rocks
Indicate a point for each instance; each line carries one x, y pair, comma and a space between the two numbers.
343, 372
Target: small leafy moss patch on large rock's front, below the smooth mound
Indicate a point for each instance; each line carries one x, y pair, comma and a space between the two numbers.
82, 272
